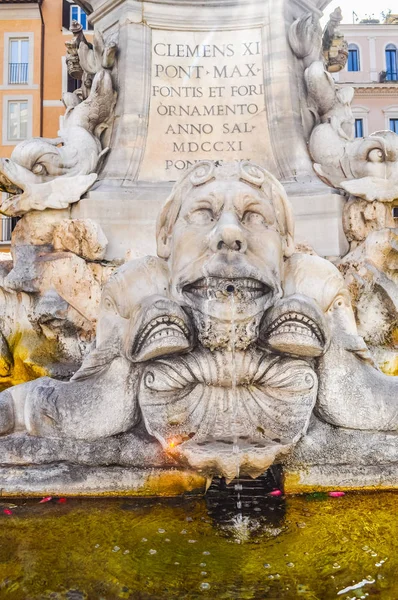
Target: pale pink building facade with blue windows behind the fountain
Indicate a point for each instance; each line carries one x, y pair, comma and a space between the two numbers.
372, 70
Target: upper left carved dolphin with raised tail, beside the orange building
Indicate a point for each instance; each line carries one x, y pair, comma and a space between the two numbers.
46, 173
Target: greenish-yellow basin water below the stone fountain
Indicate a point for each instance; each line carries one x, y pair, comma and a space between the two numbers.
309, 547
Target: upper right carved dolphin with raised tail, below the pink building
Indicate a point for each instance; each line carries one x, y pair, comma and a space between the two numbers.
364, 167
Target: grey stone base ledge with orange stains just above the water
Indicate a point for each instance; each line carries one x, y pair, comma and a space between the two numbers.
326, 459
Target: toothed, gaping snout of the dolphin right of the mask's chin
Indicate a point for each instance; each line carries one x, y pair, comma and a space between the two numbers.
295, 326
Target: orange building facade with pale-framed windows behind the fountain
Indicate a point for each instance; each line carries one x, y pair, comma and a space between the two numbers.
33, 74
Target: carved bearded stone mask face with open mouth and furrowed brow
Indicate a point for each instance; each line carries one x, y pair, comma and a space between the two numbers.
226, 251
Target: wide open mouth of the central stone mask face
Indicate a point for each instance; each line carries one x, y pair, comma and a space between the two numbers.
216, 288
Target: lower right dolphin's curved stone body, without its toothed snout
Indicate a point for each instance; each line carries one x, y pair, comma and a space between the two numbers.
353, 393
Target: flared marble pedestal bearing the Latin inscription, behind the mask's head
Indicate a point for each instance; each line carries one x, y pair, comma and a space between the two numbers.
199, 80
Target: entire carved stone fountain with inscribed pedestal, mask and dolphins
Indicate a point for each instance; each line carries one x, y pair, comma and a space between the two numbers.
145, 355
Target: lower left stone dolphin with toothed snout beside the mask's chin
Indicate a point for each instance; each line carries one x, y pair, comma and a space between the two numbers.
108, 381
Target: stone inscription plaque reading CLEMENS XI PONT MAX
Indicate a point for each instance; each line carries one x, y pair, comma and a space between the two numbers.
206, 101
